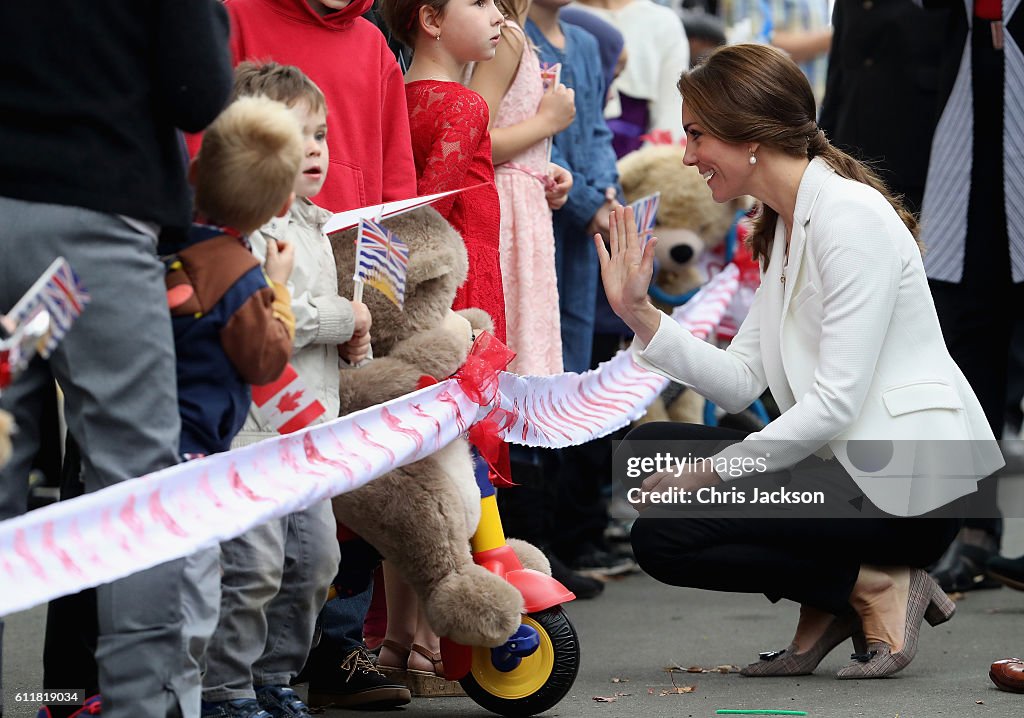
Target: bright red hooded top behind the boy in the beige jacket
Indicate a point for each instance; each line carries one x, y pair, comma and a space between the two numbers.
348, 58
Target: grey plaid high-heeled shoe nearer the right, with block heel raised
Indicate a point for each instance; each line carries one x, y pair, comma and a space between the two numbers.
926, 602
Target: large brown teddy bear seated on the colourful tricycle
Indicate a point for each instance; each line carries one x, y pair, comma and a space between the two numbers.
421, 517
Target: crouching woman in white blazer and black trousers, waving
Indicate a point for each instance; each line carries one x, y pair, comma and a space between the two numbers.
844, 333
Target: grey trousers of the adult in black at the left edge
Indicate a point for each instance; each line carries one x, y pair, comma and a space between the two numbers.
116, 367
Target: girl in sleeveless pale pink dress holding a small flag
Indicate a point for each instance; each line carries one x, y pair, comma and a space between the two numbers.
524, 117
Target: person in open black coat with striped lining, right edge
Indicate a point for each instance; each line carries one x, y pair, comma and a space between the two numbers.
974, 229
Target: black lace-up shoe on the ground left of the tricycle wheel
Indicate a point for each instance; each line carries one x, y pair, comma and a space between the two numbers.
356, 684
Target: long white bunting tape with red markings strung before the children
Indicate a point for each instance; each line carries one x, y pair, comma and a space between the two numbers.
110, 534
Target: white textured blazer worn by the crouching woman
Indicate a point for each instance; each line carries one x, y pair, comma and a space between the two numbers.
851, 349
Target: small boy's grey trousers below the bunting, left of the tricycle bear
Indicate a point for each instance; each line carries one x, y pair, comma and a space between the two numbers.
275, 581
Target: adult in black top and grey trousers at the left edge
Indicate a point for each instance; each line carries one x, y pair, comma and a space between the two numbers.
92, 170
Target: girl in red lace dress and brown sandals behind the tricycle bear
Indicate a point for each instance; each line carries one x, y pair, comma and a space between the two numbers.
452, 150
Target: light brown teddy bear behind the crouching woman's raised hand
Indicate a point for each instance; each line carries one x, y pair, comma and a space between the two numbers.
692, 229
